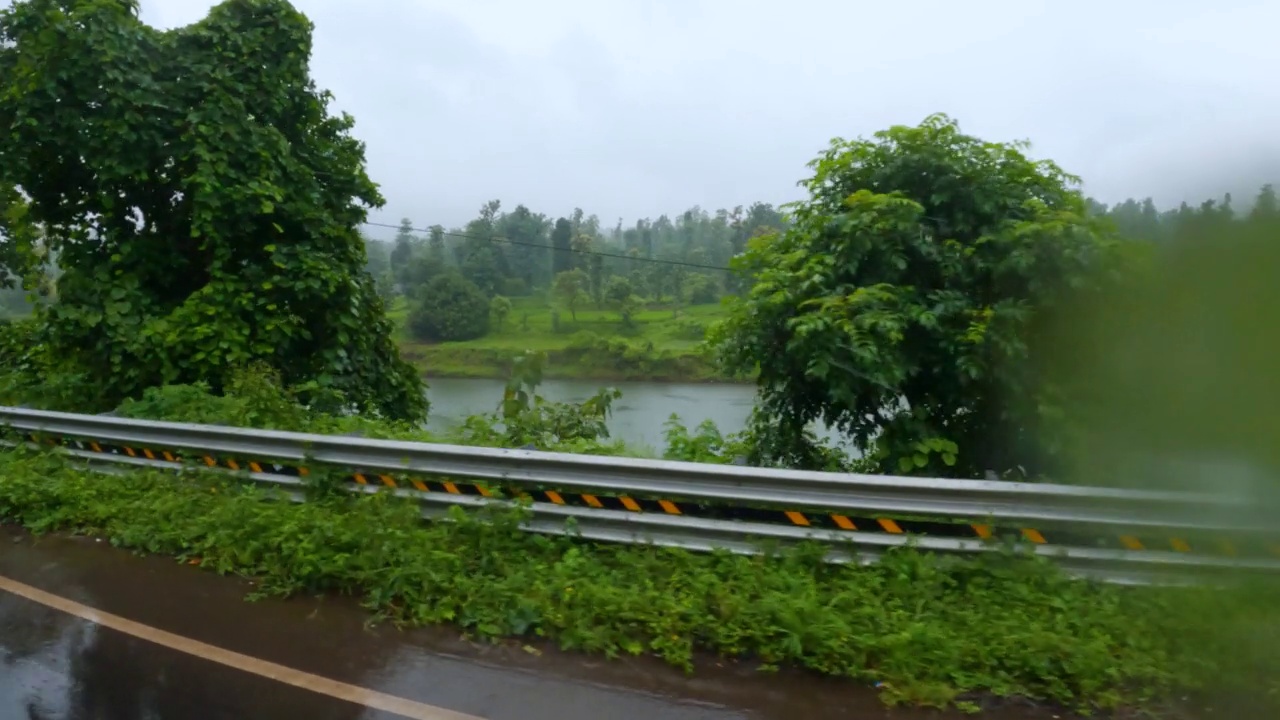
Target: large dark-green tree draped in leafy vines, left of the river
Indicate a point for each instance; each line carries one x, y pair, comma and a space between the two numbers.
203, 200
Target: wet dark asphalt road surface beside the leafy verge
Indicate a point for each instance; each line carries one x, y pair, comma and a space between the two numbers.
54, 666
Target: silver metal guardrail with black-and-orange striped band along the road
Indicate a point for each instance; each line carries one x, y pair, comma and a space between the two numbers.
1105, 534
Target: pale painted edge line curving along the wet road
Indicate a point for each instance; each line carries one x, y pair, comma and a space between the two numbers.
280, 673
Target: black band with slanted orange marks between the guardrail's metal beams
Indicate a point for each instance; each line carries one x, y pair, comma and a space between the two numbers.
717, 512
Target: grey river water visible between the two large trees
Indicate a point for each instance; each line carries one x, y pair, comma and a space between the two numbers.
638, 416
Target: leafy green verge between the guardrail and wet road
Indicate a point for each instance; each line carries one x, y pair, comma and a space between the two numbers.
925, 631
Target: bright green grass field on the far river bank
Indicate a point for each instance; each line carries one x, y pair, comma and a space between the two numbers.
665, 344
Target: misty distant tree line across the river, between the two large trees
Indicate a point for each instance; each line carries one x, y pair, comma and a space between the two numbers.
456, 281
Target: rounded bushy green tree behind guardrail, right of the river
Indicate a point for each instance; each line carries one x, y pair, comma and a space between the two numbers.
909, 302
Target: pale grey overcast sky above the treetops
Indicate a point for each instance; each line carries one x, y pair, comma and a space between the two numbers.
636, 108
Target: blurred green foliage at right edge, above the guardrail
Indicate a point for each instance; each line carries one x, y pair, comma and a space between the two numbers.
1176, 375
